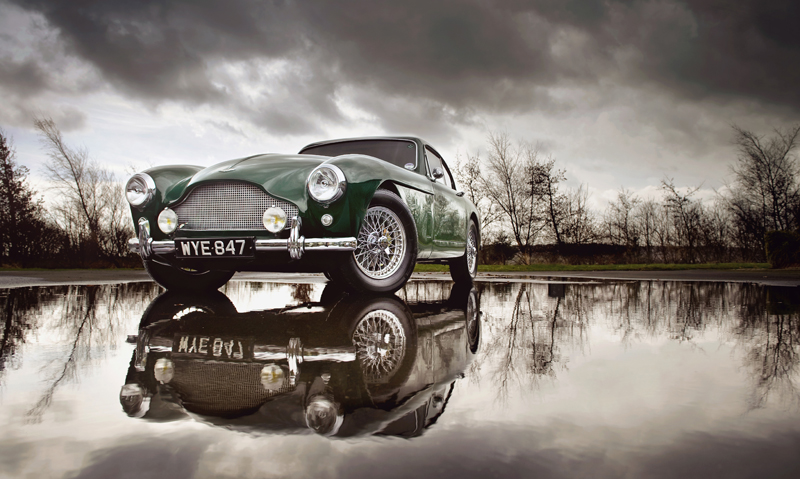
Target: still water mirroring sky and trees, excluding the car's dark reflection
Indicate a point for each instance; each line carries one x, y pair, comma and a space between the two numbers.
662, 379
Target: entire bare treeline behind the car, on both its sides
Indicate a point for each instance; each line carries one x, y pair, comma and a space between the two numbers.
528, 215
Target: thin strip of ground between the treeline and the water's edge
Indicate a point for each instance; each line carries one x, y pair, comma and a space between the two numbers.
19, 278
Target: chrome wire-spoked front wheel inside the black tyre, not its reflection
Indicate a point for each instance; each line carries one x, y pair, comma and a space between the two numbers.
381, 243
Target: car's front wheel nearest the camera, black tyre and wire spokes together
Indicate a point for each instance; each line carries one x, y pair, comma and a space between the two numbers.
368, 268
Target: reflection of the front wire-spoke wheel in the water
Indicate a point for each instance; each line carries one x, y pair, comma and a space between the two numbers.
380, 344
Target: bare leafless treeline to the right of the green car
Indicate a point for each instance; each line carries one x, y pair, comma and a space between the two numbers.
529, 217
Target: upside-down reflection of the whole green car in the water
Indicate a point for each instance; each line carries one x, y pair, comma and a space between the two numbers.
345, 366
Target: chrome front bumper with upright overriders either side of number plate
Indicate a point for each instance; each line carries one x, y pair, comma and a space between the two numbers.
296, 244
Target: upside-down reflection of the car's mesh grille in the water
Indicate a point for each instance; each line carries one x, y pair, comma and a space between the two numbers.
221, 388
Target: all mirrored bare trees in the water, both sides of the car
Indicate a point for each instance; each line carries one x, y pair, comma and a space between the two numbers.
530, 331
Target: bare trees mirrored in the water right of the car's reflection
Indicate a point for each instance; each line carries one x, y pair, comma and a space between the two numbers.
531, 329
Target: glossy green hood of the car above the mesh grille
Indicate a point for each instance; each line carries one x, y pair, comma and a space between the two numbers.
283, 176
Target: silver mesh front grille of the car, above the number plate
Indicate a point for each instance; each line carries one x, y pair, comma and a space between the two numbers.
229, 205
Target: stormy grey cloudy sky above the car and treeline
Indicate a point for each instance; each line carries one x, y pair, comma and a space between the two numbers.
621, 93
